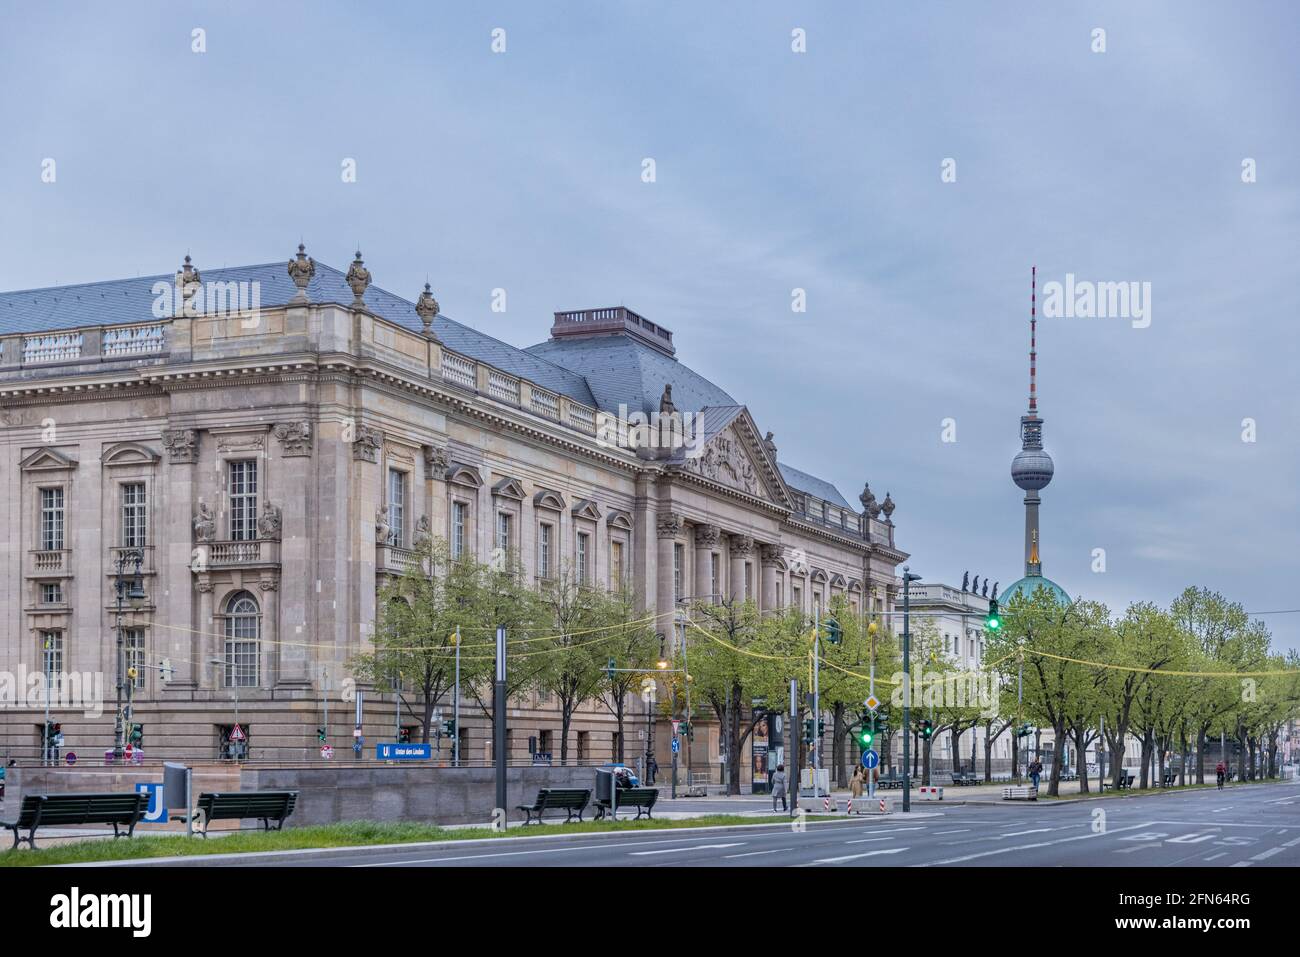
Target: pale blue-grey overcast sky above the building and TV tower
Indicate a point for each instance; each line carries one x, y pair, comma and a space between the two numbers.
905, 170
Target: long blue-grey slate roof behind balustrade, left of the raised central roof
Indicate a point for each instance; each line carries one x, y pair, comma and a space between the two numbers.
132, 301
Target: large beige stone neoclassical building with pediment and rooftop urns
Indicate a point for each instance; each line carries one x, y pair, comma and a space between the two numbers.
271, 441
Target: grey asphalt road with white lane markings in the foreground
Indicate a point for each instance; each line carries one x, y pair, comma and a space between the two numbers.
1238, 828
